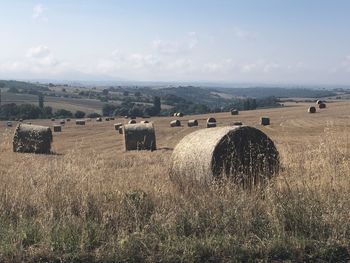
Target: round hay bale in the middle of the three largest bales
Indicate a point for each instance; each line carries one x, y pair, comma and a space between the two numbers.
139, 137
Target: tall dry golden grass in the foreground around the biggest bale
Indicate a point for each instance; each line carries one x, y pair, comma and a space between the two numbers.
86, 207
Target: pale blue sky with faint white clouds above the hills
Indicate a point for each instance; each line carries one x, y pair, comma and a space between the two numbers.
270, 41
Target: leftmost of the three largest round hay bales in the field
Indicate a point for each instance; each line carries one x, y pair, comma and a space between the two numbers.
32, 139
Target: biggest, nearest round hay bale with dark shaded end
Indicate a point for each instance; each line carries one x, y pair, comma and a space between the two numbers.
242, 153
